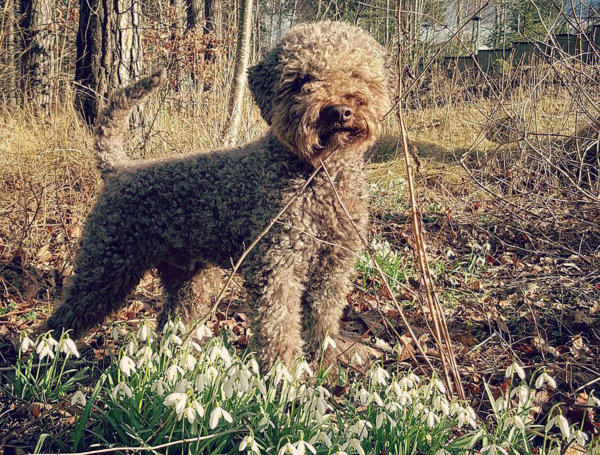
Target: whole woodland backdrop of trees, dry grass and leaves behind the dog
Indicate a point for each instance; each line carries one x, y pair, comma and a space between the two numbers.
507, 168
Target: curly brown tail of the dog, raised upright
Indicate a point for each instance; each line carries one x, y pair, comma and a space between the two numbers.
114, 120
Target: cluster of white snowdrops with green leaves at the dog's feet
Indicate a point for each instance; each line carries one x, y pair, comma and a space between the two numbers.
194, 385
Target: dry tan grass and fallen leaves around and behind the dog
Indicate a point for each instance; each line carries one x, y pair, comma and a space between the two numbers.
509, 188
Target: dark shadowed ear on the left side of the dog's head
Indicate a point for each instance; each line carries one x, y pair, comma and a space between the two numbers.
262, 79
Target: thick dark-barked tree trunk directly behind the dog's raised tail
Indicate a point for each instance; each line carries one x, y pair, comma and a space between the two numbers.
109, 52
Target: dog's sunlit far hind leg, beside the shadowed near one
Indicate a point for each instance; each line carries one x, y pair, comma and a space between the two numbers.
189, 293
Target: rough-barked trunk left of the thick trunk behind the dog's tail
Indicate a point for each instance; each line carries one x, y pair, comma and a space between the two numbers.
36, 18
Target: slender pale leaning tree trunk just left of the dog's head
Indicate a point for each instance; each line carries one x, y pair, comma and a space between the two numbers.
240, 69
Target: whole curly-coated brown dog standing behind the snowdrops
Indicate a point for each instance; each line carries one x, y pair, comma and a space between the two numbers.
323, 90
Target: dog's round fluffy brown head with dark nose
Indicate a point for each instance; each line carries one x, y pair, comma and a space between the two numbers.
325, 86
